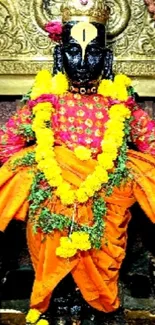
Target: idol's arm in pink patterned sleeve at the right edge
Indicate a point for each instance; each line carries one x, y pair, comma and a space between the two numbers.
143, 131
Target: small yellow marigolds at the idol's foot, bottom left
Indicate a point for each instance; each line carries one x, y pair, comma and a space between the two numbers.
34, 318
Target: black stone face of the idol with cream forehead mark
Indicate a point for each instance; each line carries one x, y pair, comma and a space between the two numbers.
84, 66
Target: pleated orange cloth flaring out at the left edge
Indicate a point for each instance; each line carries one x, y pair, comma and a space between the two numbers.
15, 184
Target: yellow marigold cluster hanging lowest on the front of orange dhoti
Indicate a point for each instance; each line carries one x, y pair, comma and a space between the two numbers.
78, 240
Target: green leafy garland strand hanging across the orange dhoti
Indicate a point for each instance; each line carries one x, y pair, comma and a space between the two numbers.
48, 221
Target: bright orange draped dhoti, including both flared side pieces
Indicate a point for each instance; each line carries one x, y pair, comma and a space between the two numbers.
95, 272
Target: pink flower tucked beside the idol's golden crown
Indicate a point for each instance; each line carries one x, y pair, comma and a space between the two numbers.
54, 28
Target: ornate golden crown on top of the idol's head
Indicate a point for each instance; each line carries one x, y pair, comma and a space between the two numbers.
85, 11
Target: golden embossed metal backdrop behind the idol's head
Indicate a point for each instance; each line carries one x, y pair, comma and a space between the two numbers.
25, 48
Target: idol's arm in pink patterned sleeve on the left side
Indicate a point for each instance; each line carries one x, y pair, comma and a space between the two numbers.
16, 133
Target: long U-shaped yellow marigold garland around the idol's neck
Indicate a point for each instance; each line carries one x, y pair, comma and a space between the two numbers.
111, 143
